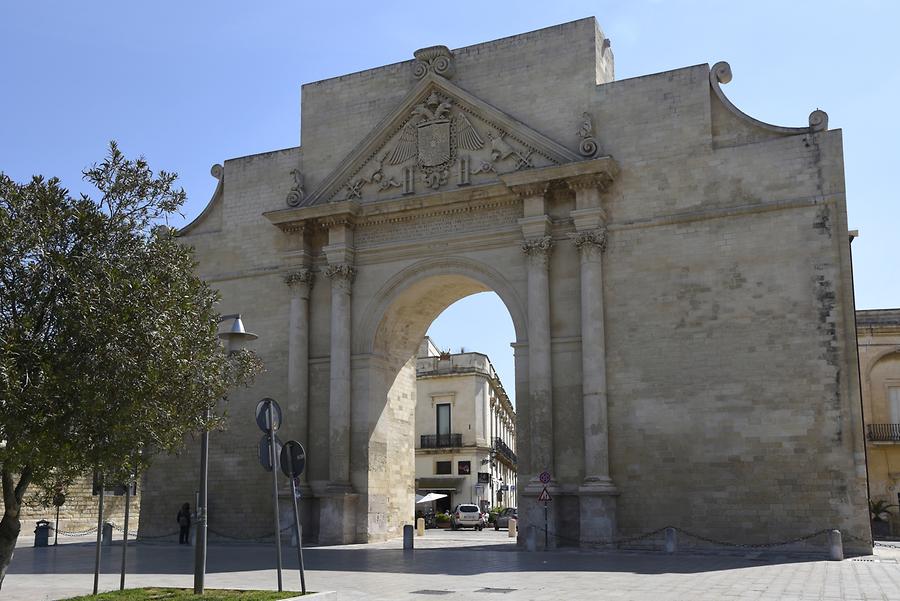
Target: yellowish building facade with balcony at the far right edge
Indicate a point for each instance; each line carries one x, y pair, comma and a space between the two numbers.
878, 334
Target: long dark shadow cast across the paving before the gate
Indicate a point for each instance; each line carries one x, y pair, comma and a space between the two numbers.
168, 558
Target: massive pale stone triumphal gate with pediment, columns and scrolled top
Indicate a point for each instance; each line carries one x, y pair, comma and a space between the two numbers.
677, 274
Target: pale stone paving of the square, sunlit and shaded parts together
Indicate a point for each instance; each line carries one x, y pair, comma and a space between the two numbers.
460, 565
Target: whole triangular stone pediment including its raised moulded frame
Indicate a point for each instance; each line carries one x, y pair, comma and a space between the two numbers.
441, 137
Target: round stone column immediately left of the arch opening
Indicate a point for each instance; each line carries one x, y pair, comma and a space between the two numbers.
341, 276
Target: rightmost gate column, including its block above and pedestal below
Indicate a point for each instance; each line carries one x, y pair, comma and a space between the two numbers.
597, 492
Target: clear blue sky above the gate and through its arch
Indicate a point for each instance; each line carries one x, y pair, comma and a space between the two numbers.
189, 84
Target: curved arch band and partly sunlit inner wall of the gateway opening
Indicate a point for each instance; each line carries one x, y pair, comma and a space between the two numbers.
384, 381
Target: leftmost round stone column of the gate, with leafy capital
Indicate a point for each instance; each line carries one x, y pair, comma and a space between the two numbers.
300, 283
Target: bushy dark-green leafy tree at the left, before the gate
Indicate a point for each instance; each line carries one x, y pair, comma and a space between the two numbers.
108, 341
